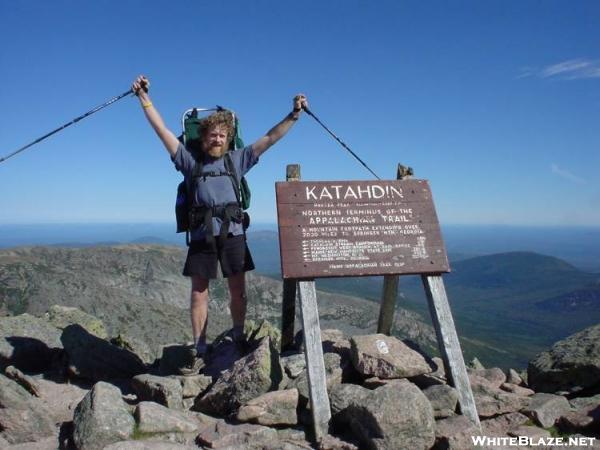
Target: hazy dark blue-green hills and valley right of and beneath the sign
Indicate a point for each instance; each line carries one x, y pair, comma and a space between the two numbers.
522, 301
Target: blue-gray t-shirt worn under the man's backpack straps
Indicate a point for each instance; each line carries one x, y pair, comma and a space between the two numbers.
215, 190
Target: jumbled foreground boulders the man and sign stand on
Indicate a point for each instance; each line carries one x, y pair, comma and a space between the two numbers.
383, 395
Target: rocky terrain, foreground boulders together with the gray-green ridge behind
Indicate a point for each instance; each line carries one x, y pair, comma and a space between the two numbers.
71, 379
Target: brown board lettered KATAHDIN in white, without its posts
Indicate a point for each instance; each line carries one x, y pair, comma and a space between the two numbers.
358, 228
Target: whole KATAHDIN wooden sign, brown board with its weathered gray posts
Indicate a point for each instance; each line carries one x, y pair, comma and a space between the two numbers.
360, 228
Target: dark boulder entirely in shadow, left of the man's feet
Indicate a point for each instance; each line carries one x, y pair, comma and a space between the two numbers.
96, 359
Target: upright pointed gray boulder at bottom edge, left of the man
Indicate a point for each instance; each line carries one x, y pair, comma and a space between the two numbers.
101, 418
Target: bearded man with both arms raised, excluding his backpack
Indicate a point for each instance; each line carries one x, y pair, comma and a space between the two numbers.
208, 243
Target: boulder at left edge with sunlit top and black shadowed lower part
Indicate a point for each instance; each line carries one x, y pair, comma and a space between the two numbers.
28, 343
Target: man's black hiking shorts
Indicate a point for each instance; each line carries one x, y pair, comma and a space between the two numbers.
231, 253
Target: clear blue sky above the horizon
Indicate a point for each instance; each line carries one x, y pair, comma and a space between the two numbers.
496, 103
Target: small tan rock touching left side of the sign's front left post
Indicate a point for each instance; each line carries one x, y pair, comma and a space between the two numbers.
272, 408
